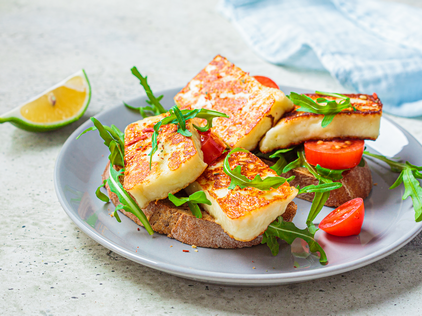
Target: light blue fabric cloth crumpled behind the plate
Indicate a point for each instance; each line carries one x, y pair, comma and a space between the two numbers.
367, 45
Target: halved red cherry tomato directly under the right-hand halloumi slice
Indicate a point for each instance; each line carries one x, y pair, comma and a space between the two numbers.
334, 154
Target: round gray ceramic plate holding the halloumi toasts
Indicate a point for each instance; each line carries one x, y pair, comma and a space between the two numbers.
389, 222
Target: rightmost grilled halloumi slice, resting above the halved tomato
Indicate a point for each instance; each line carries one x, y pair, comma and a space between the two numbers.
297, 127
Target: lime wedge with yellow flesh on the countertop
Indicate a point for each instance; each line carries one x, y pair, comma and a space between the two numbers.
60, 105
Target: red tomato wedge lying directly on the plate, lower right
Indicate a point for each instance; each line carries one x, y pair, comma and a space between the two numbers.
345, 220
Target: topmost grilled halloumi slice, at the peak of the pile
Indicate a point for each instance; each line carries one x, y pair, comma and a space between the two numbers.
252, 108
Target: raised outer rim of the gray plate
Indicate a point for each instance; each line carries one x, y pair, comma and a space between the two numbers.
257, 279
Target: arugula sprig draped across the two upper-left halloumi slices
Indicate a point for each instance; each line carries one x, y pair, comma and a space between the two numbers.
179, 117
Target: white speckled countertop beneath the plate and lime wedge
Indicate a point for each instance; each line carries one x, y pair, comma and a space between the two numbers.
49, 267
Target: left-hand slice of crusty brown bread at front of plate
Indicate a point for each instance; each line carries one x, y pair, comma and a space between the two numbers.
179, 223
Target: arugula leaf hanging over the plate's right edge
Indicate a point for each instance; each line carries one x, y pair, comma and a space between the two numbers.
408, 176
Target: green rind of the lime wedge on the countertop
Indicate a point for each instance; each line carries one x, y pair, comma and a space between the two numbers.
34, 127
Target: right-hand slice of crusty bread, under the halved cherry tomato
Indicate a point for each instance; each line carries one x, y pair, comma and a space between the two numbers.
357, 182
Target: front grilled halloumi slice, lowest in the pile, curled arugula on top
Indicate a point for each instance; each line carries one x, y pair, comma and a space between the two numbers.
244, 213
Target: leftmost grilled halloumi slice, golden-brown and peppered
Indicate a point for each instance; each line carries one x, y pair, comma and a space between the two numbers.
177, 162
